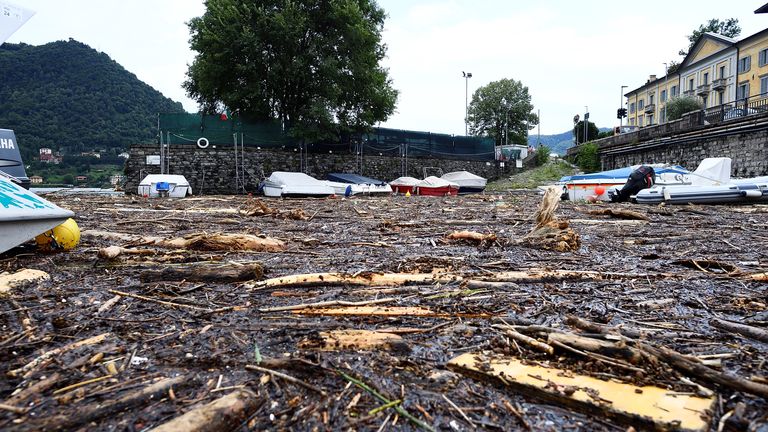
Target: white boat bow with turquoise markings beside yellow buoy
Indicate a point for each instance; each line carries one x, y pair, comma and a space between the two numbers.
24, 215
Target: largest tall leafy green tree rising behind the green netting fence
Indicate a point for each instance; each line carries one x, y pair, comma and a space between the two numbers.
313, 65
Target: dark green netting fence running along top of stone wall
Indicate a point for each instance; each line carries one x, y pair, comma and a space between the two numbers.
182, 128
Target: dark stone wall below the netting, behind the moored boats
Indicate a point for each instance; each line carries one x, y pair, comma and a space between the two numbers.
212, 170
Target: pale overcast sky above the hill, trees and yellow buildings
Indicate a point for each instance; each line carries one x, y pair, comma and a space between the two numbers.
570, 54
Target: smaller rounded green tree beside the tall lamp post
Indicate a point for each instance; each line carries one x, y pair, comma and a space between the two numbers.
500, 106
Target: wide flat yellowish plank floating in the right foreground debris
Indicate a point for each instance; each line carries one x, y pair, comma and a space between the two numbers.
648, 406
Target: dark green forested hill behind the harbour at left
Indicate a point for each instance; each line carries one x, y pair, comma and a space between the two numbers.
71, 98
